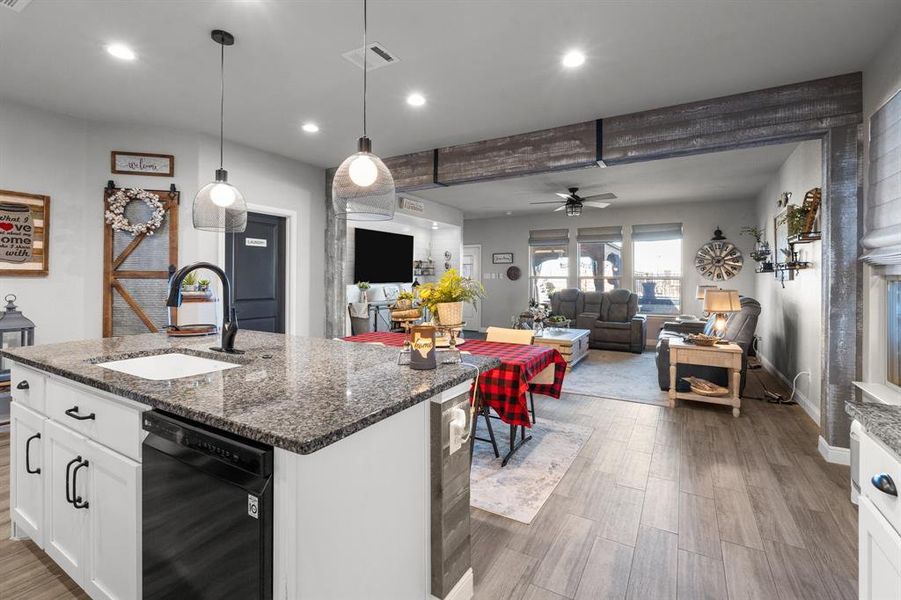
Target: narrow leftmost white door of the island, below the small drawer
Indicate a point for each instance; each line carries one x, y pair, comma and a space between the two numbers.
27, 473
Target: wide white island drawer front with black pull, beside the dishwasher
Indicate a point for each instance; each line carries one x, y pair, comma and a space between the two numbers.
115, 424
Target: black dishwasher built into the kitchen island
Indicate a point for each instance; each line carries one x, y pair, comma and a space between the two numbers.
207, 513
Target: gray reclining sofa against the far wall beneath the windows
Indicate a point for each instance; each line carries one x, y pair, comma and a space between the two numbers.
610, 316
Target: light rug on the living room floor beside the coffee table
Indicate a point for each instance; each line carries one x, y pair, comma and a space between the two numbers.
617, 375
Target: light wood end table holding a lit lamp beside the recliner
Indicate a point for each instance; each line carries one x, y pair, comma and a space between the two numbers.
727, 356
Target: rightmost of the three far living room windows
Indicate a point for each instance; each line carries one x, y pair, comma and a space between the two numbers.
657, 268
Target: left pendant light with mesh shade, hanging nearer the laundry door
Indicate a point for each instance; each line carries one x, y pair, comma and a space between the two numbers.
220, 206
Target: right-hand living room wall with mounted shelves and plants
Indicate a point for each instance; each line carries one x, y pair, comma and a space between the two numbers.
791, 322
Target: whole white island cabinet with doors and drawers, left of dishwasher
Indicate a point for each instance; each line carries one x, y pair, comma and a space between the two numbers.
75, 477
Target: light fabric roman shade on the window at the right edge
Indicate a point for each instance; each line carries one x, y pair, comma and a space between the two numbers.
882, 227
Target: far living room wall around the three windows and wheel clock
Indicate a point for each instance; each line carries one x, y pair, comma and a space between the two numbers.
504, 298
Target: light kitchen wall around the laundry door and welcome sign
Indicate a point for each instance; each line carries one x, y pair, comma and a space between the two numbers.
68, 159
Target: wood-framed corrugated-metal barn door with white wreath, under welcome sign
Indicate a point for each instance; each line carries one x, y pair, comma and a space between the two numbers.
136, 269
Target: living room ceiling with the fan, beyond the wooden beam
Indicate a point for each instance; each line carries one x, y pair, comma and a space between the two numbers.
736, 174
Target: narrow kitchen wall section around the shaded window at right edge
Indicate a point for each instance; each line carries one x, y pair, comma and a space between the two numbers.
881, 81
